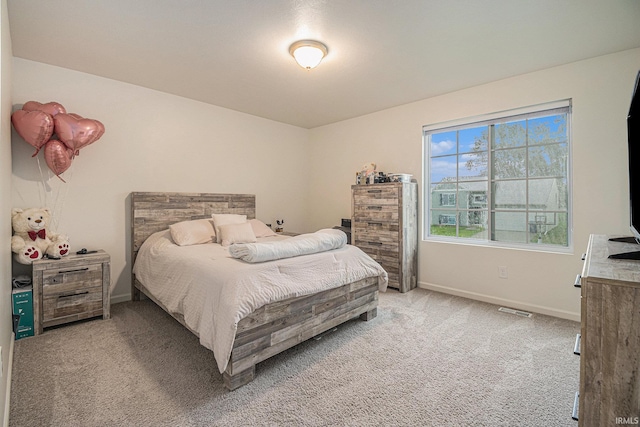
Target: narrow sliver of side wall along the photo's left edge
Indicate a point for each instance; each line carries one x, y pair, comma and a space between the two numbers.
6, 330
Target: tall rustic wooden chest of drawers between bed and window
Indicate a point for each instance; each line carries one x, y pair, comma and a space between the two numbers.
384, 224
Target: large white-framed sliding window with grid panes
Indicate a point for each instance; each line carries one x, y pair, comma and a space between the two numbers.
501, 180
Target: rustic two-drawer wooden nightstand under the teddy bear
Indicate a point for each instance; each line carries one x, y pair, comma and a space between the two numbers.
72, 288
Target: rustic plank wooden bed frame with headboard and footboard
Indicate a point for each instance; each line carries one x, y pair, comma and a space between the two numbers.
272, 328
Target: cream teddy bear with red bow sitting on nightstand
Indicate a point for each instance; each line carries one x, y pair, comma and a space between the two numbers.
32, 240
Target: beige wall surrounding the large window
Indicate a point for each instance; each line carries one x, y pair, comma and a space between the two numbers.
600, 89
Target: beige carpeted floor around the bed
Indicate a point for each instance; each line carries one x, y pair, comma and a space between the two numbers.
428, 359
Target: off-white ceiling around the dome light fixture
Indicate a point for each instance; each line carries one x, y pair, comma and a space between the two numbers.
382, 53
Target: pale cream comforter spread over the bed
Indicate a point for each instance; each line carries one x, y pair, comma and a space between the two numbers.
214, 291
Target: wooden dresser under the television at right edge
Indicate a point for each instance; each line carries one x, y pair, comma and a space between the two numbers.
610, 336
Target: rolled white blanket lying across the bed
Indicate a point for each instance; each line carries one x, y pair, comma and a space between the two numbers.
304, 244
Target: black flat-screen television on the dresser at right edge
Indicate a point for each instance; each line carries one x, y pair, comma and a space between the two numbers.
633, 140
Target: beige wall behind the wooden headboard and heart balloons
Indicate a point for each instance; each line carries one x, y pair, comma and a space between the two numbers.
153, 142
